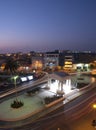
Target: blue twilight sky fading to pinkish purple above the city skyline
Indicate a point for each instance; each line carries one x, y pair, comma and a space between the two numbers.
46, 25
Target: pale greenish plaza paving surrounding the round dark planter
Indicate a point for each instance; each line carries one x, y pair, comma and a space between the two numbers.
32, 104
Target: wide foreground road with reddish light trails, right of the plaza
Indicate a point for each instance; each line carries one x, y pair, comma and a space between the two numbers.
65, 115
